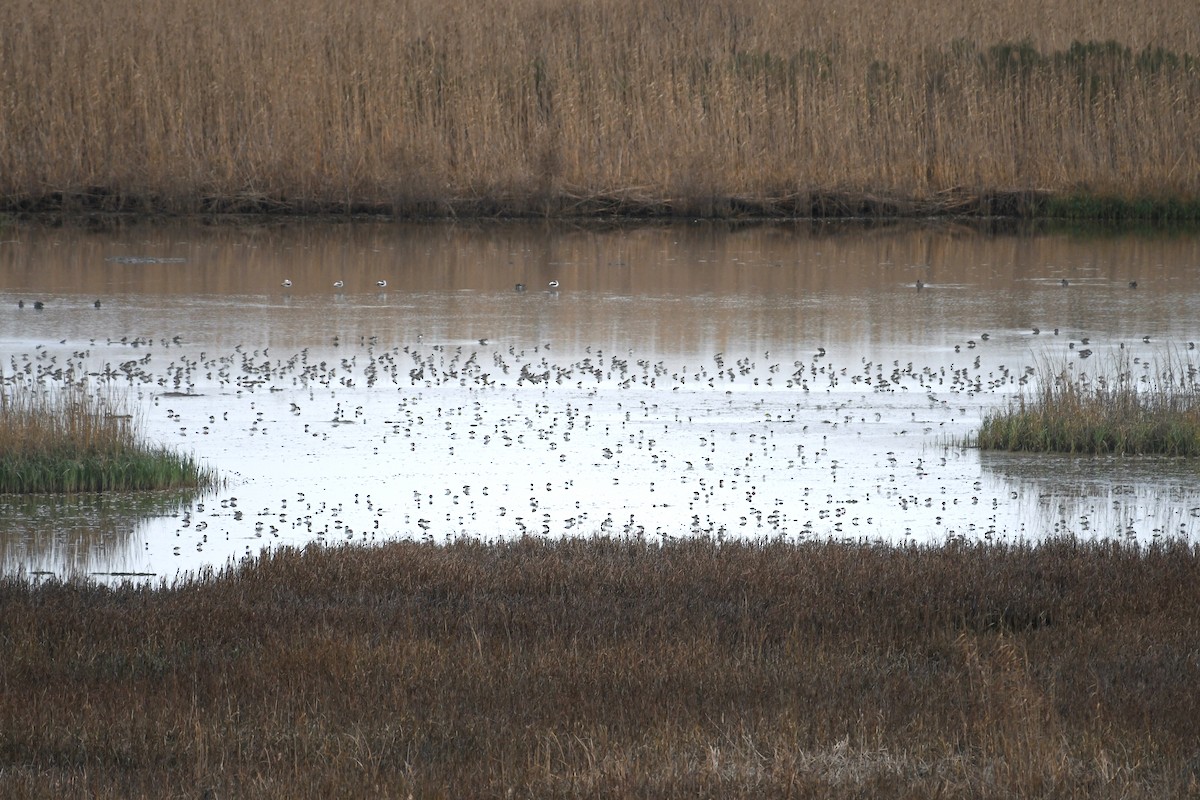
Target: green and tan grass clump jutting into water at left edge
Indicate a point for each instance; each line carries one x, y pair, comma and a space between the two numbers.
67, 440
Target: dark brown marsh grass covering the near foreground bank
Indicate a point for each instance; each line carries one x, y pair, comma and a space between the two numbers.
616, 669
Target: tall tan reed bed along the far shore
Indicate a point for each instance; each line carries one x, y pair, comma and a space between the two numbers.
730, 109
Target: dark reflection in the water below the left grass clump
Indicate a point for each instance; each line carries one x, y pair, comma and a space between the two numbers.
80, 534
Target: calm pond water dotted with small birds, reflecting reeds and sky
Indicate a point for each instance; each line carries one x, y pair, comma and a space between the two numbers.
784, 381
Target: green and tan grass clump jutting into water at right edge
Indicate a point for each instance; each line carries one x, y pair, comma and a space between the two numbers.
1127, 410
